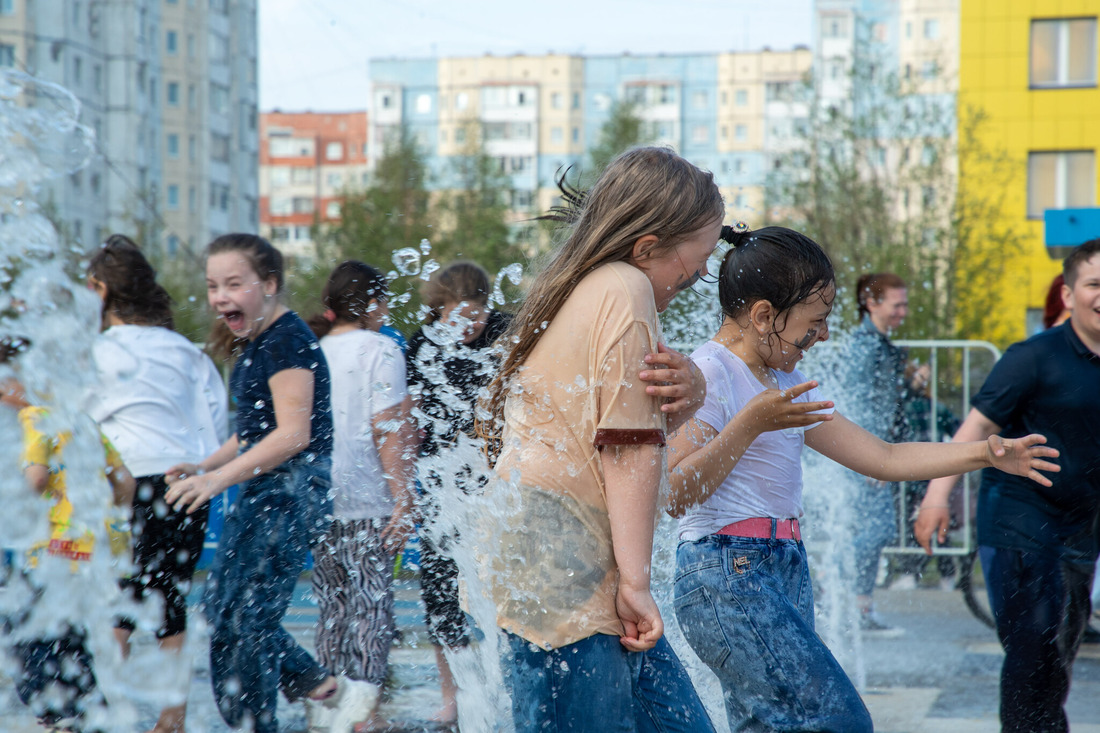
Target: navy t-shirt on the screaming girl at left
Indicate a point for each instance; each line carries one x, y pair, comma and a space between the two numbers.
288, 344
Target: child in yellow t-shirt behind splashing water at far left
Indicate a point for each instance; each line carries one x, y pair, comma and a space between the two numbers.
57, 680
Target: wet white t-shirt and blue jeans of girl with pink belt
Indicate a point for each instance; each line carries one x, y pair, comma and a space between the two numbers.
745, 605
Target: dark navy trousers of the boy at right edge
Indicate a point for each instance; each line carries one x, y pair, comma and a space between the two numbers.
1042, 607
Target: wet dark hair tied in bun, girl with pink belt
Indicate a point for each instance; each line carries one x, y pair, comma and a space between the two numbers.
776, 265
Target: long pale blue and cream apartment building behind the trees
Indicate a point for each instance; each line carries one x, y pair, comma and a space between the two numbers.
540, 115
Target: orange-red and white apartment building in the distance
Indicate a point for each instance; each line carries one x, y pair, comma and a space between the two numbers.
307, 163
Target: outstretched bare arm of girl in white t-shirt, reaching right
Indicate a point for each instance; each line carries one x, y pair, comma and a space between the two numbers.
852, 446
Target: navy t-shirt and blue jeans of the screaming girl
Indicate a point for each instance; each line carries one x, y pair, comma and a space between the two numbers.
279, 517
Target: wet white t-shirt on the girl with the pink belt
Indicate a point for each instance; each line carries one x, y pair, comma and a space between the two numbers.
767, 482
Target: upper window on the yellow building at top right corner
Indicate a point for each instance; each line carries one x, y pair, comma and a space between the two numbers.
1064, 53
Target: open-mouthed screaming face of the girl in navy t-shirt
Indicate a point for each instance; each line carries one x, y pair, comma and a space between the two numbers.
237, 294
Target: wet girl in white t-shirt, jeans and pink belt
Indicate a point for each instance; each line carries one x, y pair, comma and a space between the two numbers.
743, 593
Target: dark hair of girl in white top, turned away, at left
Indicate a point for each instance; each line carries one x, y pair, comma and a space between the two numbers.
133, 291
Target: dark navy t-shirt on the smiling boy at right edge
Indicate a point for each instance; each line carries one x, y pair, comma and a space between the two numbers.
1049, 385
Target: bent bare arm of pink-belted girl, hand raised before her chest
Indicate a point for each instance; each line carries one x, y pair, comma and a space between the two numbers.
701, 458
